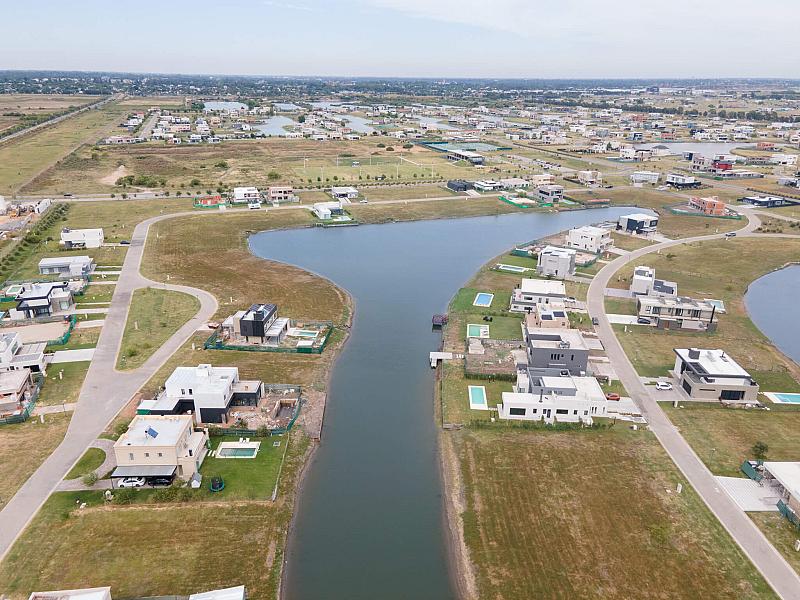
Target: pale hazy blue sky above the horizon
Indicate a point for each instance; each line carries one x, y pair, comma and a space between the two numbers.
425, 38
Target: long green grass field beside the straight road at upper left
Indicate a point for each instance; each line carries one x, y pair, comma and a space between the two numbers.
23, 159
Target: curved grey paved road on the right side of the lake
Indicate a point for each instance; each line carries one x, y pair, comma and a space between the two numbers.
778, 573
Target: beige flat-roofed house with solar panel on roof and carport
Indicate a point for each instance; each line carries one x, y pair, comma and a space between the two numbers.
160, 446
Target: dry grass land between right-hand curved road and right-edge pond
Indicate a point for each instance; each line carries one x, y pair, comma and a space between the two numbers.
722, 270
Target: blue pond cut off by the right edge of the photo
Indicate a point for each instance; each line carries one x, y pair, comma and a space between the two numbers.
773, 307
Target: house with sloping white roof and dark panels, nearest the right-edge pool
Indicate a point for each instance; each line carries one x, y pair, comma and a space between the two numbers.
713, 375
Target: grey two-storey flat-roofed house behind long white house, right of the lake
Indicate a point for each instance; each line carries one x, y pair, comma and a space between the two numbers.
556, 351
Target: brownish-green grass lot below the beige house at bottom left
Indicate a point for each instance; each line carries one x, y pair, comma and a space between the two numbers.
210, 545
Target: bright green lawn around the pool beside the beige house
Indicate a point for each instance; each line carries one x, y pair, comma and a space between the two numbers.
245, 478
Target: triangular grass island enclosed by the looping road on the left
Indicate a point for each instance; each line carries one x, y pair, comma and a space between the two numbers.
153, 317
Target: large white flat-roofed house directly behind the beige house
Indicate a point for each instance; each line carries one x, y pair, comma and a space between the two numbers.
206, 391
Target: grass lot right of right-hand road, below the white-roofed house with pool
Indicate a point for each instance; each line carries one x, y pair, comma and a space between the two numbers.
723, 437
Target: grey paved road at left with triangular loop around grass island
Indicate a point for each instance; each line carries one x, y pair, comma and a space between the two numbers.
105, 391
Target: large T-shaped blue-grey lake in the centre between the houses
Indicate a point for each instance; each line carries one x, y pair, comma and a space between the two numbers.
370, 514
